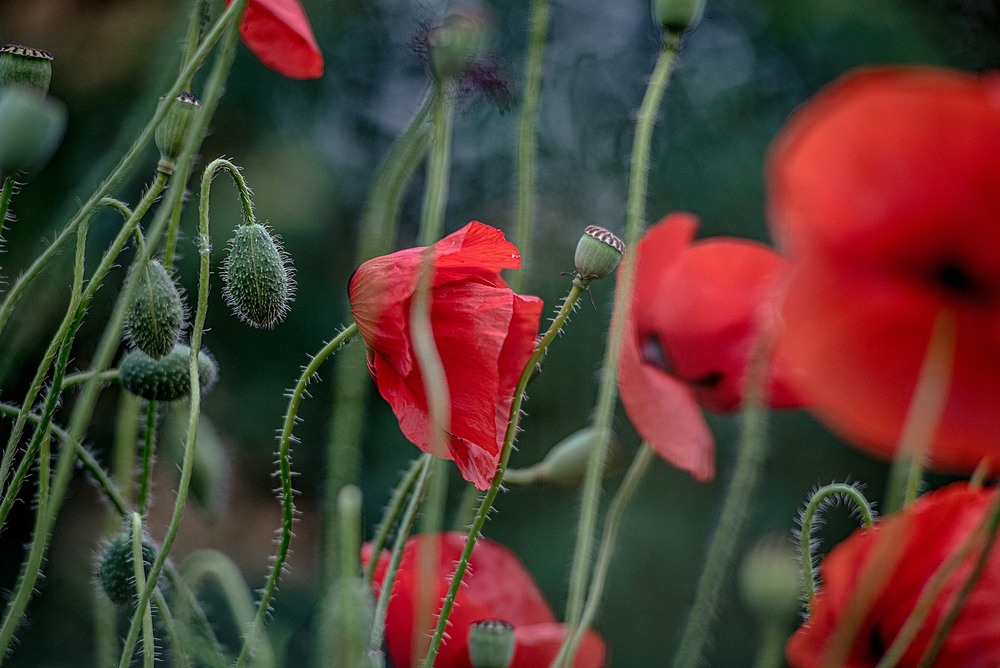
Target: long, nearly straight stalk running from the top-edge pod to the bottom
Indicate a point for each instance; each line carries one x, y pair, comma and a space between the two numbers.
608, 389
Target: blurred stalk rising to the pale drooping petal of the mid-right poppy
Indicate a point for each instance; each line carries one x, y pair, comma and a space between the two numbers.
612, 523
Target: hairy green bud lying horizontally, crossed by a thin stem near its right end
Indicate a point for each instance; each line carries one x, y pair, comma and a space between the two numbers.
165, 379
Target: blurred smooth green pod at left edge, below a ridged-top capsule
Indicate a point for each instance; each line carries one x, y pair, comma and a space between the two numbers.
31, 128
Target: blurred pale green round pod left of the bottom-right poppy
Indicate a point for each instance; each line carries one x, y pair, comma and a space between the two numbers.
770, 580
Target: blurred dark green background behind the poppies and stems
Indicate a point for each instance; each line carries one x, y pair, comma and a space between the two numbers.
310, 150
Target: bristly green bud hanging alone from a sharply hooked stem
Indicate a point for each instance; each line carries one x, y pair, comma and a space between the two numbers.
258, 277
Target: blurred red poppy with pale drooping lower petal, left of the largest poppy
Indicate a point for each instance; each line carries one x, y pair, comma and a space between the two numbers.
697, 309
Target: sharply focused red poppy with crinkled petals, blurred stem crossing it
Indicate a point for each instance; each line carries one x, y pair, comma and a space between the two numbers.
484, 333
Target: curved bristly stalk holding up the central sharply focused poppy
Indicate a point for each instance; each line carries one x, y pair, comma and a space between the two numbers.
287, 500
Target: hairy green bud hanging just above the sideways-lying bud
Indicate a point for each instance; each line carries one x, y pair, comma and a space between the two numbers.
155, 317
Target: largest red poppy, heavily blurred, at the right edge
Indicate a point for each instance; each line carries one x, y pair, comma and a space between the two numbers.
885, 190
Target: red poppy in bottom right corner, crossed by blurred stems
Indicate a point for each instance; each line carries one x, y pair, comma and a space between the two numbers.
930, 531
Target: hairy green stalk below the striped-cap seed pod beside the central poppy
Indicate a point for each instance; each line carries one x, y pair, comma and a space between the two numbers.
579, 287
